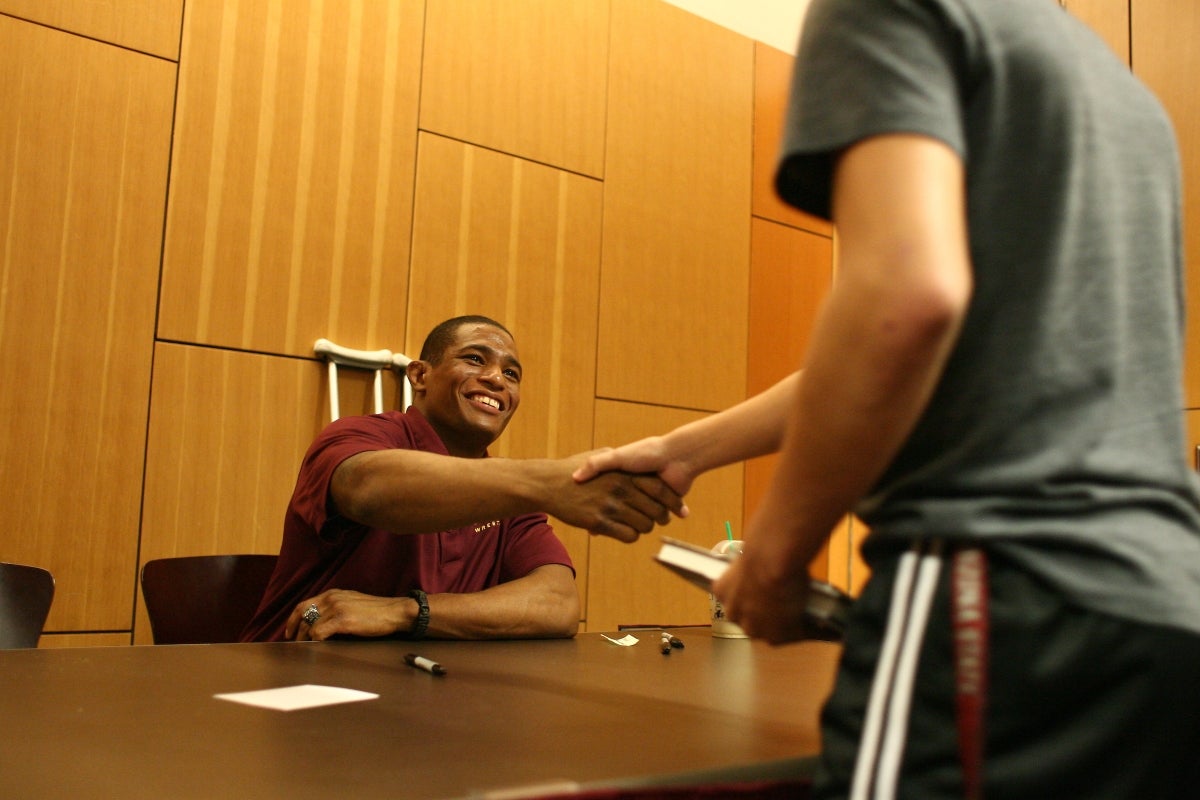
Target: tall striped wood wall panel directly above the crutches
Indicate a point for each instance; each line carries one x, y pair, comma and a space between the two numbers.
292, 175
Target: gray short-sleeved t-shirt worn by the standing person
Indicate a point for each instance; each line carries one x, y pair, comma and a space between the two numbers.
1057, 430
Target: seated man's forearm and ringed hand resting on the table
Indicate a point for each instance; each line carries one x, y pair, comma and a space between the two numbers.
544, 604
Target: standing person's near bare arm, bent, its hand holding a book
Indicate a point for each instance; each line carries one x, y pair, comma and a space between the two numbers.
878, 353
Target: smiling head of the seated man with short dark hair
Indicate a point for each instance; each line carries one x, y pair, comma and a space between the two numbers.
470, 393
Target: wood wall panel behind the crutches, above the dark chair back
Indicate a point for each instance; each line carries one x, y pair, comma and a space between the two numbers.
227, 435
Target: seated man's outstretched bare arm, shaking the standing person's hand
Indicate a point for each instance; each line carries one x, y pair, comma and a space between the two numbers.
415, 492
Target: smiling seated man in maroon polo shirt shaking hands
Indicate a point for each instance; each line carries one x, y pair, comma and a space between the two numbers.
401, 526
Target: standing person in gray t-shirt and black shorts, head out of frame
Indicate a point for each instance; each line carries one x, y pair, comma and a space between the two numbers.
994, 387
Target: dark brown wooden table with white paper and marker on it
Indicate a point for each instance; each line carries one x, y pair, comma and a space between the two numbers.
143, 723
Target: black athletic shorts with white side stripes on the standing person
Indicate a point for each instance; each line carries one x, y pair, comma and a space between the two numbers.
1078, 705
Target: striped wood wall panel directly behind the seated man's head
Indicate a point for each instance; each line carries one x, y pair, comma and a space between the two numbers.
520, 243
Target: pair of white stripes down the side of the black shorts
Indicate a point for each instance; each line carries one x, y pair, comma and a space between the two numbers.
881, 749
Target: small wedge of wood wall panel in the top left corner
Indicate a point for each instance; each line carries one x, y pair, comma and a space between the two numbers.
147, 26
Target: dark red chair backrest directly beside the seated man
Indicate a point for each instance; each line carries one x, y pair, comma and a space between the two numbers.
203, 599
